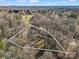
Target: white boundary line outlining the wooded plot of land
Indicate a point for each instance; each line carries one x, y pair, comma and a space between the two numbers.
38, 48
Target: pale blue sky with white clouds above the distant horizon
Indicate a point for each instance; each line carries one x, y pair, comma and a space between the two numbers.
39, 2
